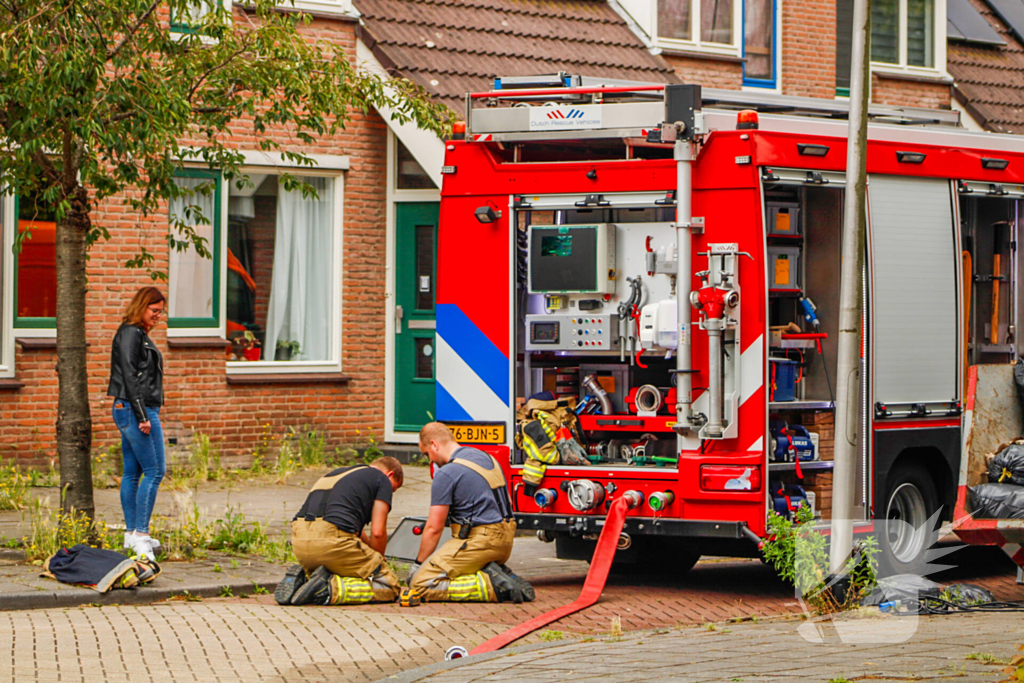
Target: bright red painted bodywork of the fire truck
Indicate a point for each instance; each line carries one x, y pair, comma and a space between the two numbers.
476, 259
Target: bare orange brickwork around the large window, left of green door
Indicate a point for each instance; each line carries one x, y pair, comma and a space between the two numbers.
198, 396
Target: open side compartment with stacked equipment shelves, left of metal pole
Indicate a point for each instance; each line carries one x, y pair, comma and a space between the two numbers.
803, 234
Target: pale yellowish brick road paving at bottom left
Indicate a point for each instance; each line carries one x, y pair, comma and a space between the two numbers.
218, 642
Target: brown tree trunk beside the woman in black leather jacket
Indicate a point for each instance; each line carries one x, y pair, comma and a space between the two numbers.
74, 420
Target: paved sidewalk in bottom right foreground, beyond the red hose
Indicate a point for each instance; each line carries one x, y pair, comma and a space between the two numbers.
897, 650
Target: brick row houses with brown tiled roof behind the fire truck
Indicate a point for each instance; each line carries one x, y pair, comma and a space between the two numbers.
386, 172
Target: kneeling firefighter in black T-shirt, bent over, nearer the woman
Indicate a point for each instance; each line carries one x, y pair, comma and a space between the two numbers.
345, 566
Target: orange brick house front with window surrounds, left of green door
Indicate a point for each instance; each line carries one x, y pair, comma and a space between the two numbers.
202, 393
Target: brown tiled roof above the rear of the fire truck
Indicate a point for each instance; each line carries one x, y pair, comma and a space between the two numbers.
454, 47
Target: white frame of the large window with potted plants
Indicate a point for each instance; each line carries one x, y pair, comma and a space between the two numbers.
249, 368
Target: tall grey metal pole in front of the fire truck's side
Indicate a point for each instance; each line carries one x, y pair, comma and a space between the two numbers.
847, 404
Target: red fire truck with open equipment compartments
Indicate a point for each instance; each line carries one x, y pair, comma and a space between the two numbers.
671, 259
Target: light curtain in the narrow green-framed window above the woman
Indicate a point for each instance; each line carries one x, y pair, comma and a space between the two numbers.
191, 276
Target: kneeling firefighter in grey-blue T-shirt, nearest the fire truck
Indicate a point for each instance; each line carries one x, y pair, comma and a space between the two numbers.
471, 489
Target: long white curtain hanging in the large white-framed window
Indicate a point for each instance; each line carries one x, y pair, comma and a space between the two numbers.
303, 287
